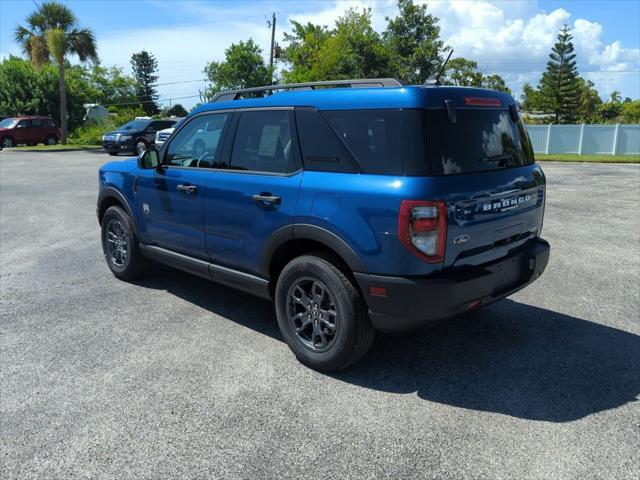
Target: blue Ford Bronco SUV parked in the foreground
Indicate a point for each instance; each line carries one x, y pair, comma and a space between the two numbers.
355, 206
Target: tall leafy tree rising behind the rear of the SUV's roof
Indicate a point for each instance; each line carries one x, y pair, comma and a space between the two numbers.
413, 38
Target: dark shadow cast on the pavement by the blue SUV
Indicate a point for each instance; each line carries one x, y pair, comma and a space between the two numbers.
510, 358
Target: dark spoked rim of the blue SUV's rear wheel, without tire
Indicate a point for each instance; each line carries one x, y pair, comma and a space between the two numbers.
312, 314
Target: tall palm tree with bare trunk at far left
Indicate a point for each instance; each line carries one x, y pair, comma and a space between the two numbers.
52, 33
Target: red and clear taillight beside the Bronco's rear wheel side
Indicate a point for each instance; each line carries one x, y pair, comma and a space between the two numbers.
422, 228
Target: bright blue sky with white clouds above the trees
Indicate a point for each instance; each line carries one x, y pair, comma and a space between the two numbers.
512, 38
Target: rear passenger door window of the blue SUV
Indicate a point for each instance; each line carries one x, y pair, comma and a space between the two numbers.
264, 142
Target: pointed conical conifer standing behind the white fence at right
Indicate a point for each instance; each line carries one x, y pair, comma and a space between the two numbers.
559, 86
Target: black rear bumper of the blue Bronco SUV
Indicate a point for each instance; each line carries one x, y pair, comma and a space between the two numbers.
415, 302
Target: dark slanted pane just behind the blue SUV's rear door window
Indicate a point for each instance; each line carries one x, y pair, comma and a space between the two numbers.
321, 148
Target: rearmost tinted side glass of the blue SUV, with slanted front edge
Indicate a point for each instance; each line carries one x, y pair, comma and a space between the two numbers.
372, 136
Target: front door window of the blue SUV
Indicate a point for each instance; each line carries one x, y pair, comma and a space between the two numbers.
198, 143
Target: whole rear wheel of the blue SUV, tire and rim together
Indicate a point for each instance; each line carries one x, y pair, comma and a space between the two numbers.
317, 345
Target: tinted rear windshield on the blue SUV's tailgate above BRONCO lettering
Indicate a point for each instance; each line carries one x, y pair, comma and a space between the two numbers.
480, 140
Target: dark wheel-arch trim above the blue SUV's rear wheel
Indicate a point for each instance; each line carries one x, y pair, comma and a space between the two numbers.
309, 232
